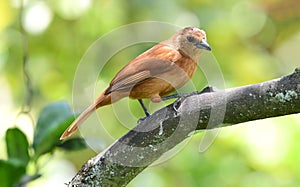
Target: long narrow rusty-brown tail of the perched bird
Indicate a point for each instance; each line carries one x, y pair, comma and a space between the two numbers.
82, 117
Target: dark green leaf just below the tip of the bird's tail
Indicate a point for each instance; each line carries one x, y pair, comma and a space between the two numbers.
73, 144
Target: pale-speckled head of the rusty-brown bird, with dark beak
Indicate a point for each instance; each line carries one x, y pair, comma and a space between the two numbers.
191, 41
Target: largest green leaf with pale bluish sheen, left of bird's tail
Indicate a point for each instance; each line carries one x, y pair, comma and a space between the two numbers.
52, 122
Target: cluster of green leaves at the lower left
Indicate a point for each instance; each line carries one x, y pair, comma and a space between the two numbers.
52, 121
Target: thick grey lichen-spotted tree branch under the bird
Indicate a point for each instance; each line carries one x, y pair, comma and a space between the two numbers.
131, 154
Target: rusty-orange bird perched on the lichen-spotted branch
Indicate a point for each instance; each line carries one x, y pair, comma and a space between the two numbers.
153, 74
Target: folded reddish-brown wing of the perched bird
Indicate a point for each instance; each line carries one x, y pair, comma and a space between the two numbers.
142, 69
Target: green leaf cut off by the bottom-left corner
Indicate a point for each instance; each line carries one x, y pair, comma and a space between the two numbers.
10, 172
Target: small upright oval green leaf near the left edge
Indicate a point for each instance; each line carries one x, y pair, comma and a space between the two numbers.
17, 145
